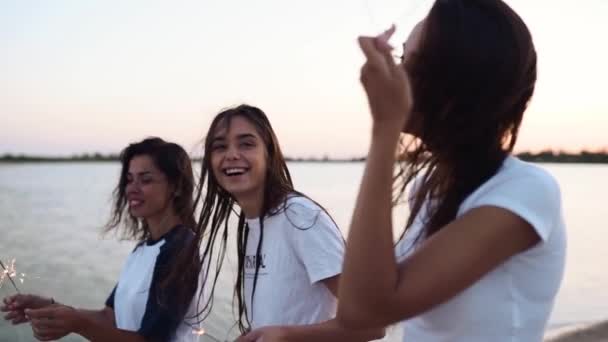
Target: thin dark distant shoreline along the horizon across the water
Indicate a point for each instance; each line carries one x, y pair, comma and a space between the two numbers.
583, 157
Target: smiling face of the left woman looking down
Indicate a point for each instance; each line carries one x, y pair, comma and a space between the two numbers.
147, 189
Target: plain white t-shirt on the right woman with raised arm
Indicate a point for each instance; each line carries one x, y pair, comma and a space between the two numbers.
512, 302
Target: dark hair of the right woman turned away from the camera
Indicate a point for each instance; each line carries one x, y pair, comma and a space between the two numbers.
472, 76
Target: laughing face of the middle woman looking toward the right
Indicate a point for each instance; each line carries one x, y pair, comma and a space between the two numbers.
239, 159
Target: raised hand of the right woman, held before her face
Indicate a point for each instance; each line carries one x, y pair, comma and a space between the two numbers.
386, 83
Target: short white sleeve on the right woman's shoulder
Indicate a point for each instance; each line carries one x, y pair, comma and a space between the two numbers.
534, 197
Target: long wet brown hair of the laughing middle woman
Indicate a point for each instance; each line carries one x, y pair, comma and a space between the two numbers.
218, 204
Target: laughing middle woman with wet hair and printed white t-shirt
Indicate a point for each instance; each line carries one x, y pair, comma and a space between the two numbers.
289, 249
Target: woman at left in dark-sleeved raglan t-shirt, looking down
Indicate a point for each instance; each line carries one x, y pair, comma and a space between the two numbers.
154, 299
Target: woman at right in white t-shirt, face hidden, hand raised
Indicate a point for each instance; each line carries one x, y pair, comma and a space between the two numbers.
482, 257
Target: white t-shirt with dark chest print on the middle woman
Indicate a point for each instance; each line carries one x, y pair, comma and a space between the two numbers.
301, 246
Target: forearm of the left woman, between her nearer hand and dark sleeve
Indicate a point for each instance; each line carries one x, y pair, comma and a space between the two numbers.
97, 326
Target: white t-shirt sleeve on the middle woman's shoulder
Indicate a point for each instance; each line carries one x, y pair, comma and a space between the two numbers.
317, 241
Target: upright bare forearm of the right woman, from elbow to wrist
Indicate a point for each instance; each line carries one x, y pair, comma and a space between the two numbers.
370, 268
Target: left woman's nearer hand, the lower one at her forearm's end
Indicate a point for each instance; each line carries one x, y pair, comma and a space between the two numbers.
53, 322
